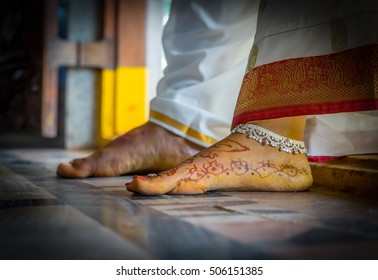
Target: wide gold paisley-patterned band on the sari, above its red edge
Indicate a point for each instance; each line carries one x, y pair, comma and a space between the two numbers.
344, 76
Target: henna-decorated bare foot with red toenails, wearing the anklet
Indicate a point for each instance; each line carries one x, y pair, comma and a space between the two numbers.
235, 163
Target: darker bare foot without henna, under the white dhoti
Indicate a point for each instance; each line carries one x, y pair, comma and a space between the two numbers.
146, 148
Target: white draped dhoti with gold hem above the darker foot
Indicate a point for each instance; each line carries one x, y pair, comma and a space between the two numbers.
206, 45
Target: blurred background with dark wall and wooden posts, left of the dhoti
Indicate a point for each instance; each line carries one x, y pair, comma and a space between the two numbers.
76, 73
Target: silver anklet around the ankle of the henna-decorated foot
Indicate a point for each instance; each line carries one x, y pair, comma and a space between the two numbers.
270, 138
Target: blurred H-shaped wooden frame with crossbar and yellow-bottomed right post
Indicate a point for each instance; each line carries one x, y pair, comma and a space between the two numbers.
120, 54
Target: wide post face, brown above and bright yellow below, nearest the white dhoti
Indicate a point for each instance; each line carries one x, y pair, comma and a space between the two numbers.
131, 107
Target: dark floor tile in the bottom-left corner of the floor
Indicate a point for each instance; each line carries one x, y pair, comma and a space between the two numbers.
60, 232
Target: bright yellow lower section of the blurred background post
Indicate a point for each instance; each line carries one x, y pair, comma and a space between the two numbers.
123, 102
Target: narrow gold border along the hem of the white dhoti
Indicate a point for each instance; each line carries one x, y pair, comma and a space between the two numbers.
182, 127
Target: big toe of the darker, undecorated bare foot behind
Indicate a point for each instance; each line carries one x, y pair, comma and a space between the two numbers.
75, 169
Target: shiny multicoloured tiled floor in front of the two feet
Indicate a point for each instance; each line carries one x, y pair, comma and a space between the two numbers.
44, 217
